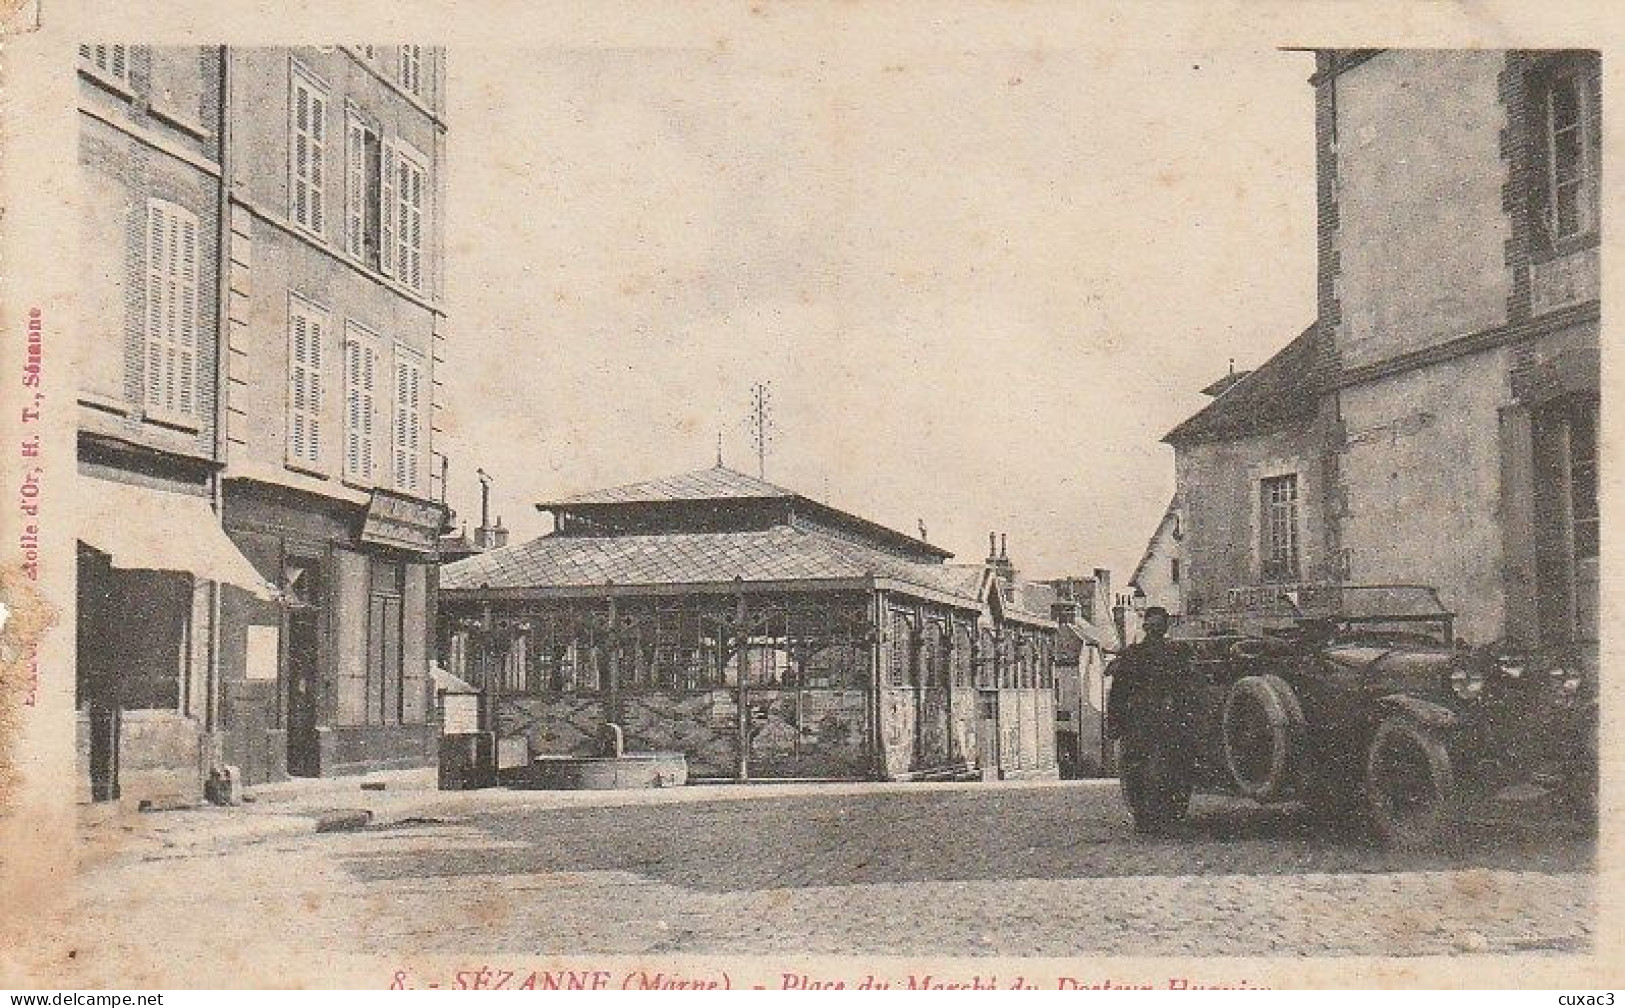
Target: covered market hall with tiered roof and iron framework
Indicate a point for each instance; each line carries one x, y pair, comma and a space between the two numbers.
761, 633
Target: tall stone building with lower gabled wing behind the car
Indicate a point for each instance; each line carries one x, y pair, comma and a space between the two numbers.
1439, 424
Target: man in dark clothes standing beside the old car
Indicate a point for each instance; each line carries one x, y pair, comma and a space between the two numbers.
1150, 710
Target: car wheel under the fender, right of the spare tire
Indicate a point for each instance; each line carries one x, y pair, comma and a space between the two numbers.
1410, 784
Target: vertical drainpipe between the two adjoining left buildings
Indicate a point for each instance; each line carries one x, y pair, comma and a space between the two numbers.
222, 385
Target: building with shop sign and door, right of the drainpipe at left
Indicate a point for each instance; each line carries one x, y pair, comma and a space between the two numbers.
334, 328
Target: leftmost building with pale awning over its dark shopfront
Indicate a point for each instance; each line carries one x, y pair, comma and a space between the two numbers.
152, 555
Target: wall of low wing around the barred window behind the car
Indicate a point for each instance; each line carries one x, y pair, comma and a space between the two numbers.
1220, 492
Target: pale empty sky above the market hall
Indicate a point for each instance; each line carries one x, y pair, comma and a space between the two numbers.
982, 280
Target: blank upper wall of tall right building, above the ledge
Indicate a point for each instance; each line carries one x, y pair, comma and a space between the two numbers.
1421, 238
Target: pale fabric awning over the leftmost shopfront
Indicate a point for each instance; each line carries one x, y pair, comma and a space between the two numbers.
158, 531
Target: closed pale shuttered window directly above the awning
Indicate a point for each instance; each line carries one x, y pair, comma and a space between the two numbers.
171, 334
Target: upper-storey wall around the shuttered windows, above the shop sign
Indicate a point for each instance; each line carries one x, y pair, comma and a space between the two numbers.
275, 261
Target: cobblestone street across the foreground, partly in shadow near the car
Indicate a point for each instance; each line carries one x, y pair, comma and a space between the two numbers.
943, 871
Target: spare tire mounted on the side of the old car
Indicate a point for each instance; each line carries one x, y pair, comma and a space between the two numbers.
1263, 737
